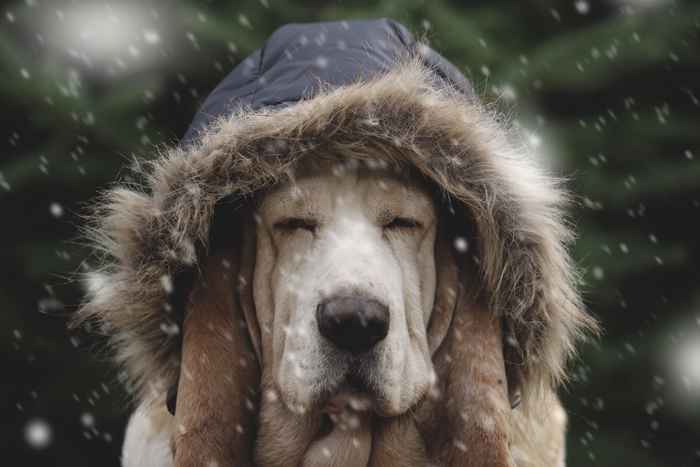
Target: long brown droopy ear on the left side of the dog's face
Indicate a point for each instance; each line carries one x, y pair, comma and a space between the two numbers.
217, 395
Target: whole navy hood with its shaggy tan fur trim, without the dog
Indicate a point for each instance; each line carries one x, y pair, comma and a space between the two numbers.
363, 89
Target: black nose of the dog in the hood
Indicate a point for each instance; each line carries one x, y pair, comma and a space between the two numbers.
353, 323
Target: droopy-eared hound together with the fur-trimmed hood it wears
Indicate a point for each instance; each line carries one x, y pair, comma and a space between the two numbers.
369, 274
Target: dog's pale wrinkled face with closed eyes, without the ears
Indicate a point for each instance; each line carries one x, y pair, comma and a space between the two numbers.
344, 285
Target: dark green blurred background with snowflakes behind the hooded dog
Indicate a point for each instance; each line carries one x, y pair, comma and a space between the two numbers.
608, 91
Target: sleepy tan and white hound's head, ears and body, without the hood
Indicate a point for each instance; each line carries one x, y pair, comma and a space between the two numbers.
352, 291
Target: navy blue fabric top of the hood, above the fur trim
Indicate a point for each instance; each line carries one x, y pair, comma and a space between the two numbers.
299, 59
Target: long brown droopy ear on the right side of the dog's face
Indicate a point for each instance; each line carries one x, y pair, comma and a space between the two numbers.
468, 408
